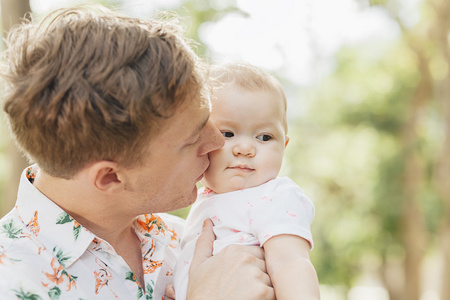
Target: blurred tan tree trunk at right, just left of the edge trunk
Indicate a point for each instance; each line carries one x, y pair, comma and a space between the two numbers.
414, 231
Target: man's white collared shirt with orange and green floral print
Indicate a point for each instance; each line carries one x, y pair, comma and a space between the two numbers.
46, 254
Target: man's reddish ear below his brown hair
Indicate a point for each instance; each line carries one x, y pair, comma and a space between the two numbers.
104, 176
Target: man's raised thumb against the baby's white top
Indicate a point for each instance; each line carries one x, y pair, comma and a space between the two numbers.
204, 245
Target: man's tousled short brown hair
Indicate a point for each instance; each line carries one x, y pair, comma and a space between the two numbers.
87, 84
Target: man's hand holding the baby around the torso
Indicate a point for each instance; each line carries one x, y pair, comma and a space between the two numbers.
237, 272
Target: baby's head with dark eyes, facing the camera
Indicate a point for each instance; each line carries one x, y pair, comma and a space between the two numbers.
249, 108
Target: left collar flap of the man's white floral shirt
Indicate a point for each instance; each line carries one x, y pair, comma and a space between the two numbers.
52, 226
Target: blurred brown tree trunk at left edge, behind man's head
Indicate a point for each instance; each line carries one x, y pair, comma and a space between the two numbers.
12, 13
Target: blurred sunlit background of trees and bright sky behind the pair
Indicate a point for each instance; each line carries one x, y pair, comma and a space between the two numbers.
368, 109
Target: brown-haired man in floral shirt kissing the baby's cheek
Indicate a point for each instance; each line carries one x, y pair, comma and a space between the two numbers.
115, 114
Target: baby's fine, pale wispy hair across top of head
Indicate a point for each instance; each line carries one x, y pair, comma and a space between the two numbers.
247, 77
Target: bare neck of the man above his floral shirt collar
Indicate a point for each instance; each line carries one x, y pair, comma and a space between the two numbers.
99, 213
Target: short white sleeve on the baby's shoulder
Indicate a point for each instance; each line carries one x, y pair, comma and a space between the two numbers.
283, 208
